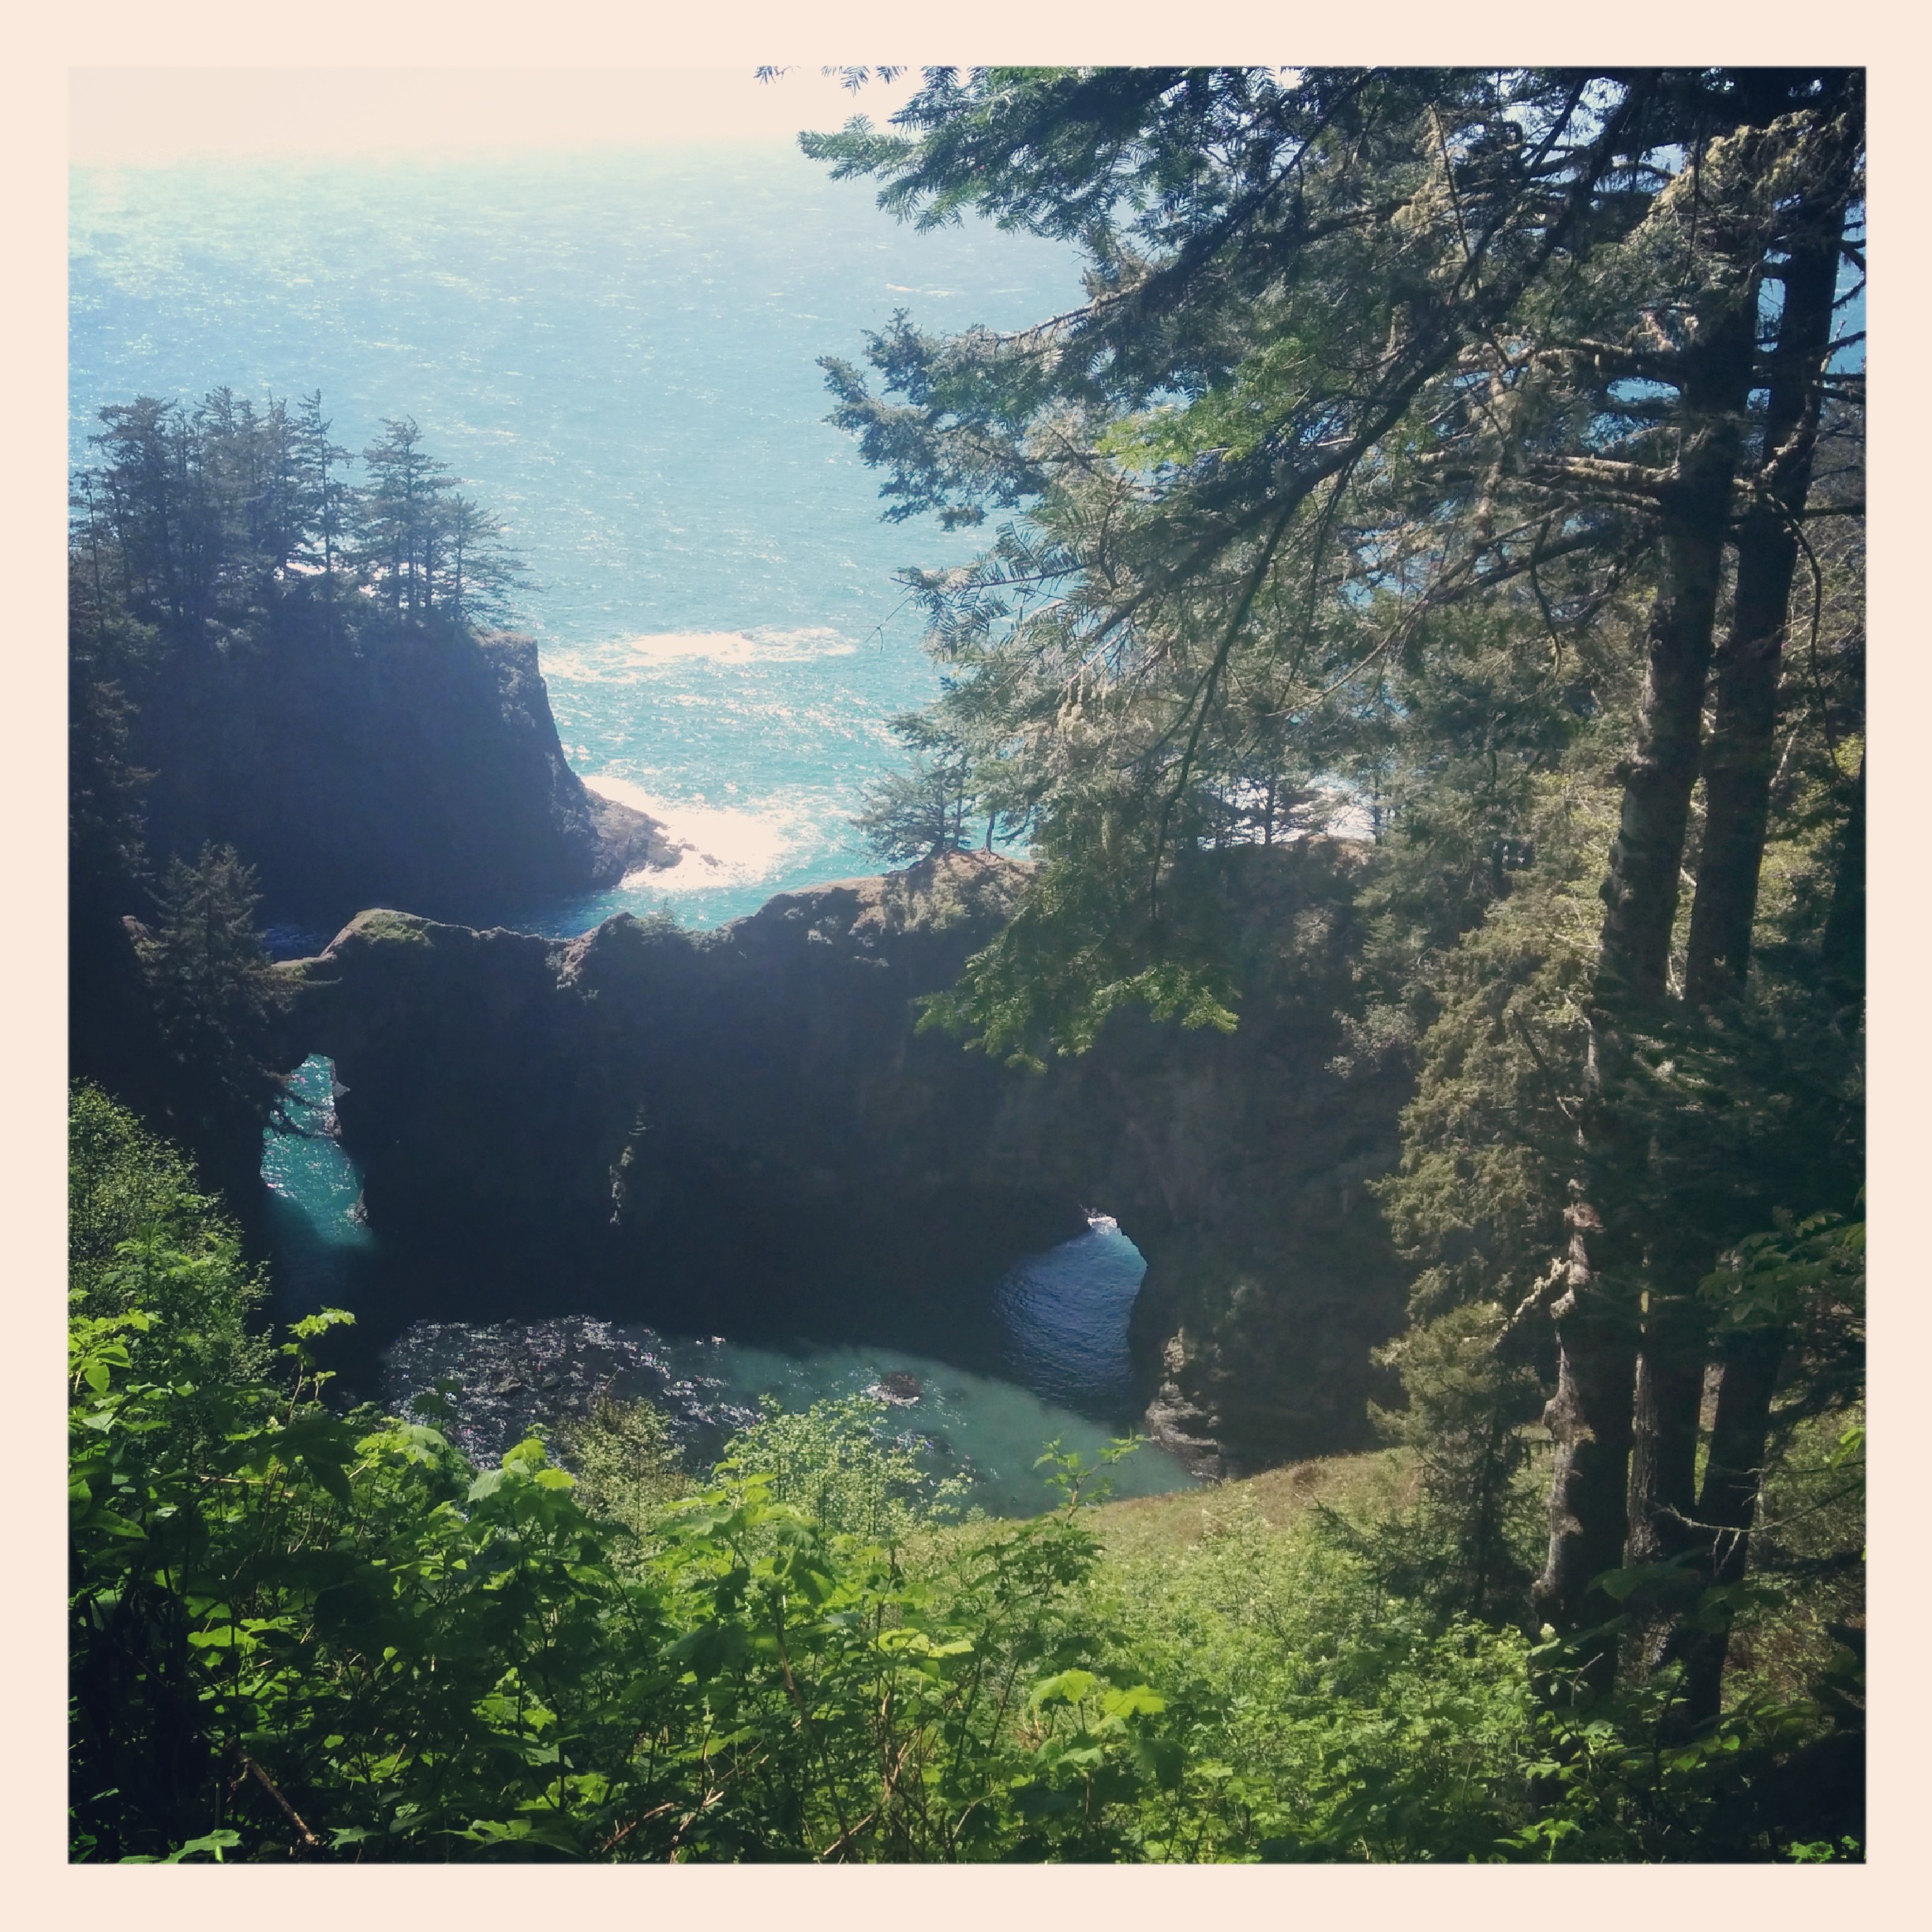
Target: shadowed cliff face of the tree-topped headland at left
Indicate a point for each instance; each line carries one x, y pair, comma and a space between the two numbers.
412, 768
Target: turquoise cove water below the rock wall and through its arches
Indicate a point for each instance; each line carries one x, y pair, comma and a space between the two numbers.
1064, 1371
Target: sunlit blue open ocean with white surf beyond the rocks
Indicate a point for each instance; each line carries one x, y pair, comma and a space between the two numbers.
617, 351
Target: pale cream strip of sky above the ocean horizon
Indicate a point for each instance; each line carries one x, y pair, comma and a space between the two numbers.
148, 117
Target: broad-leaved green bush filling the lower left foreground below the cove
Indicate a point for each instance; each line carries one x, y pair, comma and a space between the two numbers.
339, 1641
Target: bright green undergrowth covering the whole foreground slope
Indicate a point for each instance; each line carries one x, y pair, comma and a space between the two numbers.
308, 1635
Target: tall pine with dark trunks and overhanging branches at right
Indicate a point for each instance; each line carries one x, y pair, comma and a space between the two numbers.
1361, 349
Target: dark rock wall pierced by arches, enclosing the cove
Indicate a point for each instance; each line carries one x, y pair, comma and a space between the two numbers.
743, 1133
